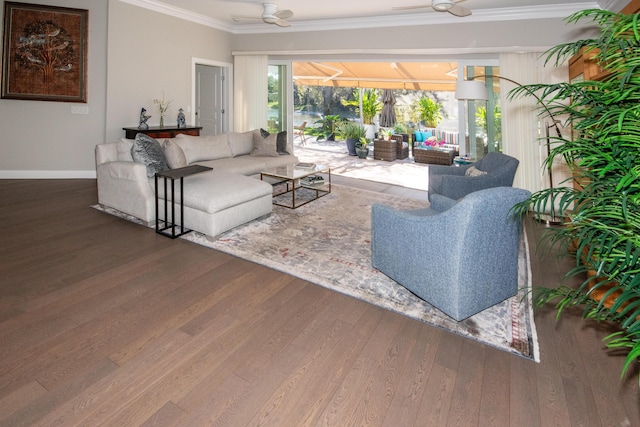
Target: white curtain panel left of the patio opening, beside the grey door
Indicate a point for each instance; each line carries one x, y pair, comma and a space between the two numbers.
250, 92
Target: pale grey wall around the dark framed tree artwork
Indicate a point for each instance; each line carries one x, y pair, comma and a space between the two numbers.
43, 139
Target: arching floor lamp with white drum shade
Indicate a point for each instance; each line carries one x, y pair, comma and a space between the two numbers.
476, 90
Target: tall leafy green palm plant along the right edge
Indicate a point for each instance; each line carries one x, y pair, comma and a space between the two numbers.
603, 210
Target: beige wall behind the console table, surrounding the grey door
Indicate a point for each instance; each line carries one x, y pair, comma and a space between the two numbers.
150, 53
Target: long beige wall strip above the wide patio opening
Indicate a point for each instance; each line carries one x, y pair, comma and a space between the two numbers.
531, 35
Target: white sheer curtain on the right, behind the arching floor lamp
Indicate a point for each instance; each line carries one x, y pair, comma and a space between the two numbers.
520, 122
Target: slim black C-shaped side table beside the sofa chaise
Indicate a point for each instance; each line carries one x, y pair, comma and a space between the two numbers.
170, 227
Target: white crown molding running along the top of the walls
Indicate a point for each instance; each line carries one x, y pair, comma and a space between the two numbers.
413, 19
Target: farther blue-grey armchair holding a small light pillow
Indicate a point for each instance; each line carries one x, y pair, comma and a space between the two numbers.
452, 181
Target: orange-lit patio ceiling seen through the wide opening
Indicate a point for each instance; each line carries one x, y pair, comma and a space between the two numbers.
439, 76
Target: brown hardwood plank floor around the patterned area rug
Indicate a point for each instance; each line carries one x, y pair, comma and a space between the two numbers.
103, 322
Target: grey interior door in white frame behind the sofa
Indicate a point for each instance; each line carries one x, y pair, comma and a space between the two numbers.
210, 99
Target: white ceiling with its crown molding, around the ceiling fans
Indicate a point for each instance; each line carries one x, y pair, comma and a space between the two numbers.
342, 14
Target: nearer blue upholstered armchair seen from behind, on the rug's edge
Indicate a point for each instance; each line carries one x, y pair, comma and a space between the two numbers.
460, 256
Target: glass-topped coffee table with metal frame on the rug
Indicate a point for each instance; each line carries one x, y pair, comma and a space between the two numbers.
294, 180
